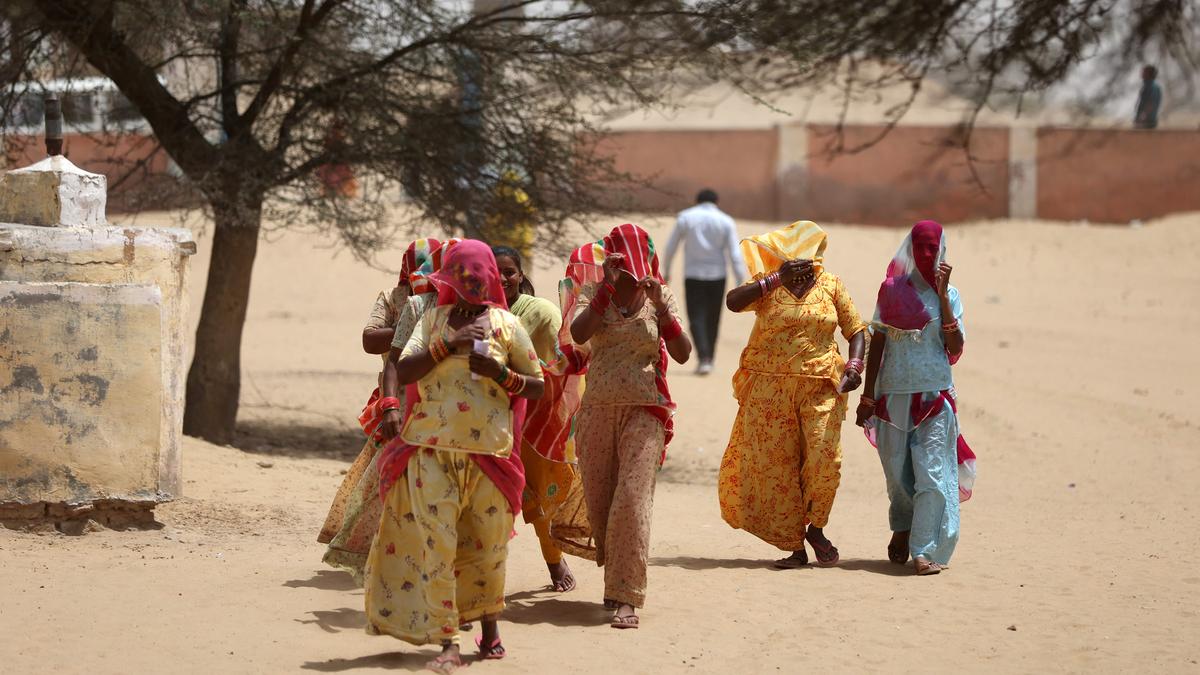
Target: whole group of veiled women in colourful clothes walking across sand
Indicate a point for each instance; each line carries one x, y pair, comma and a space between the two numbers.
494, 402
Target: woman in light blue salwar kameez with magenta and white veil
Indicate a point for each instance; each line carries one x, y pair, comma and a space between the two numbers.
909, 404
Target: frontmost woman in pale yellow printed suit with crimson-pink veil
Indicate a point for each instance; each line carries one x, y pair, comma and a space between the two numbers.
451, 480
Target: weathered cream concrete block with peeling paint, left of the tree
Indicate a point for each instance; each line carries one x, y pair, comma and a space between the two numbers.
92, 341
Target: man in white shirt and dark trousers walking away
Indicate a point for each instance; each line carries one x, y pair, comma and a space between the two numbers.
710, 241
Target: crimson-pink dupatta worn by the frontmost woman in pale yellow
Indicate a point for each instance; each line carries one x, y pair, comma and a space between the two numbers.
469, 272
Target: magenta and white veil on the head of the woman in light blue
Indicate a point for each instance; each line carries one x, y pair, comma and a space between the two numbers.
899, 303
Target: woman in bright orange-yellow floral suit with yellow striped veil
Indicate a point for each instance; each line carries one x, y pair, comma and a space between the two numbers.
783, 465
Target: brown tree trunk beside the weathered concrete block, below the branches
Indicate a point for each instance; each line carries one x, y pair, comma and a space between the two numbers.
215, 378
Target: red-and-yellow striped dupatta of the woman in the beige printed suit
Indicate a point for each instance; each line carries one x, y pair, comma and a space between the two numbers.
586, 267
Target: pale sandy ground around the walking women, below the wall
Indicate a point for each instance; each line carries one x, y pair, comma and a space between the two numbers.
1078, 552
